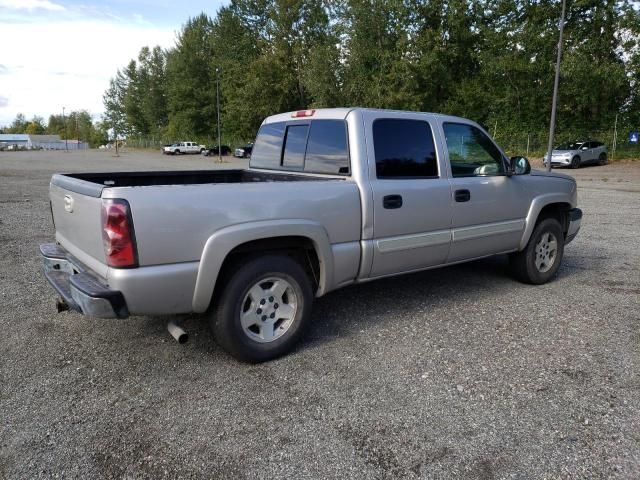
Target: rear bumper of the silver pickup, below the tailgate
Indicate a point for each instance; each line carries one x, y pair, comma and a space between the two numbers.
80, 290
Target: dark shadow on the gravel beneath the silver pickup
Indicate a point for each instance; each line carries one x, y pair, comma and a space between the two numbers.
357, 307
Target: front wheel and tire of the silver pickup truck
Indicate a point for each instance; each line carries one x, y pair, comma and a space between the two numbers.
540, 260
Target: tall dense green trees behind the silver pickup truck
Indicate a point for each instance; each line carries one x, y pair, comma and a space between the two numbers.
489, 60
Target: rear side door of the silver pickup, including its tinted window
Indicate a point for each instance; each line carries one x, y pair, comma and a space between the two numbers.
411, 195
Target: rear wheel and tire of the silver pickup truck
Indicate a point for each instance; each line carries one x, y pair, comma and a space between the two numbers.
256, 285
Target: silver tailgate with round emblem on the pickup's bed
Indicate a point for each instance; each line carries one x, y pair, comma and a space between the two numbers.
78, 222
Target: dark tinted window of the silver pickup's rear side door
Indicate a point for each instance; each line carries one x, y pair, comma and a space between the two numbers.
404, 149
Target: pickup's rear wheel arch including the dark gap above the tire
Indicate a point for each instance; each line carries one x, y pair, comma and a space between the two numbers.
231, 243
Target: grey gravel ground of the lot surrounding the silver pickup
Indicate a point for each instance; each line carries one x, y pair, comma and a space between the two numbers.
452, 373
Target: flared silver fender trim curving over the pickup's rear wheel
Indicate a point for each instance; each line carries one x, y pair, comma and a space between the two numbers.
222, 242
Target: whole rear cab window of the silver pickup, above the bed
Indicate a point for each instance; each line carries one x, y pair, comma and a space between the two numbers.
316, 146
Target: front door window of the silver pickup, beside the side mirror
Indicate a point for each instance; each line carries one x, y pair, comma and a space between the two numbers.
471, 152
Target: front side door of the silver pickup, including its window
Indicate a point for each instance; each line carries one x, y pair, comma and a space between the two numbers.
489, 207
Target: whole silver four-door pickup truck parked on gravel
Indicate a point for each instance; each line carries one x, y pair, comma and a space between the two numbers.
332, 197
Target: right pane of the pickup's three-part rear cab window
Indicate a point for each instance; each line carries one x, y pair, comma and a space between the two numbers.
327, 150
